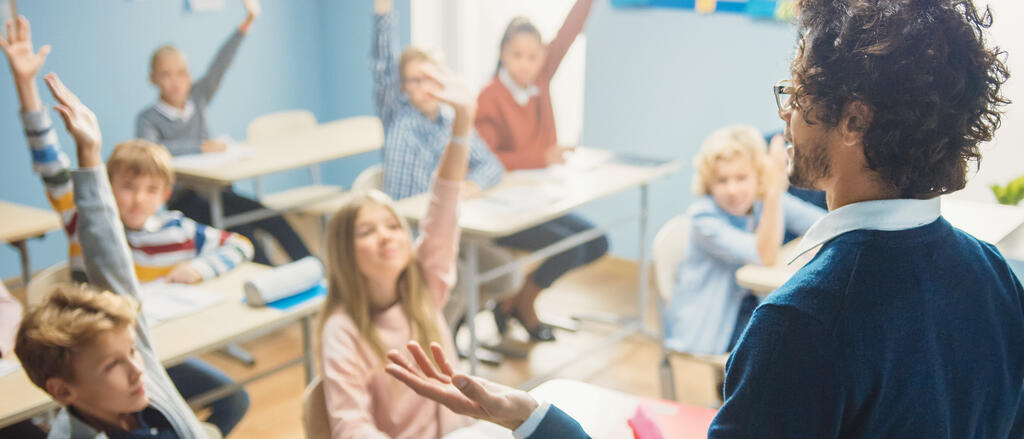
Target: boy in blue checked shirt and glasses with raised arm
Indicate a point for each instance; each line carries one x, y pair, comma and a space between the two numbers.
417, 128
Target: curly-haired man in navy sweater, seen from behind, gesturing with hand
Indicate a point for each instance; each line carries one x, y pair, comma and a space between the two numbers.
901, 326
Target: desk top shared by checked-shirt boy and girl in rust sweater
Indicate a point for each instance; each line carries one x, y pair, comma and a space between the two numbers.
575, 188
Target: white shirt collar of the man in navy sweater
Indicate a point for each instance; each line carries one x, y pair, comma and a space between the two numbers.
888, 215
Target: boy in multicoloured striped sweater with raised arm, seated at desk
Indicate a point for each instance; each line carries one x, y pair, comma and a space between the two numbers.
164, 245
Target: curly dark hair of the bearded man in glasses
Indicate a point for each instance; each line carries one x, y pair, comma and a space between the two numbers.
923, 69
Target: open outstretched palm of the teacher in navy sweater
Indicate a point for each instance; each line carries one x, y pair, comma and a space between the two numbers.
465, 396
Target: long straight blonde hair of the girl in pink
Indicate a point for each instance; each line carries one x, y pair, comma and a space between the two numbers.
347, 286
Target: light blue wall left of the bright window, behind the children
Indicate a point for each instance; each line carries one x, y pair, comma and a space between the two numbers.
310, 55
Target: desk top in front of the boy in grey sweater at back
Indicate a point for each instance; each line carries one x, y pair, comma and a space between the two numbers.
326, 143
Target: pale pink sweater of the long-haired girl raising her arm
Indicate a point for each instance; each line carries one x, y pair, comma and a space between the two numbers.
363, 402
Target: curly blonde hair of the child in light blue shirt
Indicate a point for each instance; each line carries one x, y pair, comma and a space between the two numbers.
727, 144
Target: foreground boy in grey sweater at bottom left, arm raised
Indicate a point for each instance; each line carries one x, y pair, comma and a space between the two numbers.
87, 346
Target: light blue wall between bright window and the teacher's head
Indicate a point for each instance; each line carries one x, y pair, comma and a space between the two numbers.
661, 80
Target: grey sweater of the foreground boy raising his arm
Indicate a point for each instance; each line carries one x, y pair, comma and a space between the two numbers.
109, 267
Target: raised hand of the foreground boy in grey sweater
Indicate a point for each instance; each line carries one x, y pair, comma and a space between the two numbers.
81, 123
